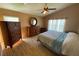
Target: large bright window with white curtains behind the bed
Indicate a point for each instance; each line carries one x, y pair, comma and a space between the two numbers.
57, 25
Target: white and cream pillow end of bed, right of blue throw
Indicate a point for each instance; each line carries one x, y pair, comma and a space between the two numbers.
71, 44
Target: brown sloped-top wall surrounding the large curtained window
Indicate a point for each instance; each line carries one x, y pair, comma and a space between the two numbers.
71, 14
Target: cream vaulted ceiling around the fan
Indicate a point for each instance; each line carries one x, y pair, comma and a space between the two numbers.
33, 8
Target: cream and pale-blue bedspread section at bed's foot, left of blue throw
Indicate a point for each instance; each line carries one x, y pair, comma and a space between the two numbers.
48, 37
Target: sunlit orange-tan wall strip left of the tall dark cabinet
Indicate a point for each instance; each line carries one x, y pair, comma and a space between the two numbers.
3, 36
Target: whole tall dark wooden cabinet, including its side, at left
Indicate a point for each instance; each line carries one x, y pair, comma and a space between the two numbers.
12, 31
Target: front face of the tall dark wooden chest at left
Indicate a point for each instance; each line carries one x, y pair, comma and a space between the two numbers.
14, 30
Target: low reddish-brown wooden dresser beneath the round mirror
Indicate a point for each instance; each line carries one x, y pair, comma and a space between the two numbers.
32, 31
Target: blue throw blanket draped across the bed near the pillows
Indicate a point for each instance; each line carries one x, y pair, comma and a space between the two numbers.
57, 44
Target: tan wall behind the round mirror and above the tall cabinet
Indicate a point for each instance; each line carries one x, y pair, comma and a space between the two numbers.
24, 19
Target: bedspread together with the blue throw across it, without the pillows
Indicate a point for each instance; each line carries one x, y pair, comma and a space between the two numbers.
53, 40
